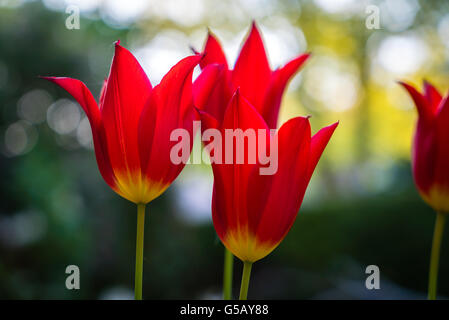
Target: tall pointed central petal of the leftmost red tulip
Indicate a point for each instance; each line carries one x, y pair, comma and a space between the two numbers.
127, 91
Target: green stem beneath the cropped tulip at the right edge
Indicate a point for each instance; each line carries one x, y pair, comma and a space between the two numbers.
435, 255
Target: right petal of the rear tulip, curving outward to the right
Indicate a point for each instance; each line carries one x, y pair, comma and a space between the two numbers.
280, 79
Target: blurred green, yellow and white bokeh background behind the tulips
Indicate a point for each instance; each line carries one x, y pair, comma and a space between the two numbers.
361, 207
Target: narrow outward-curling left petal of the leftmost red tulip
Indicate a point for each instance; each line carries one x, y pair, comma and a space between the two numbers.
87, 102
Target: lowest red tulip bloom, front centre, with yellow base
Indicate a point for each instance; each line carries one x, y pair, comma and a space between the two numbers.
251, 212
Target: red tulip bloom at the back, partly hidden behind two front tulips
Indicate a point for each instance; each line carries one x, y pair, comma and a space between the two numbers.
252, 74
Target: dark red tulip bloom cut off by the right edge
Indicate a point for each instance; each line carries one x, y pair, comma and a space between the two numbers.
430, 154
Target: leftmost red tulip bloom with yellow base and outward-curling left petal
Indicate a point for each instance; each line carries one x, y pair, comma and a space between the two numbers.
131, 126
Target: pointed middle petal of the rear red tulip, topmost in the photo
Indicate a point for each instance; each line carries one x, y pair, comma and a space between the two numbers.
252, 72
